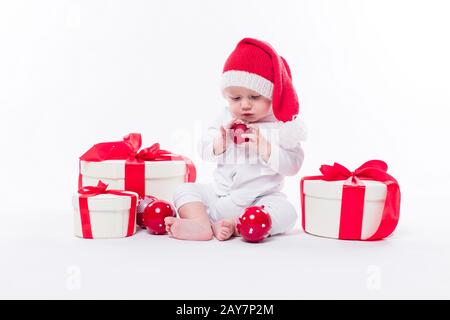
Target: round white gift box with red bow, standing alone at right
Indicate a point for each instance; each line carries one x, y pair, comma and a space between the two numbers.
359, 205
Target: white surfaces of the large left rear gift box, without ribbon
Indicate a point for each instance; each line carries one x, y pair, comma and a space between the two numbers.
161, 177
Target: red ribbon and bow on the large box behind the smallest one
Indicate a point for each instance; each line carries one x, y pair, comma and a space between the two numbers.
128, 150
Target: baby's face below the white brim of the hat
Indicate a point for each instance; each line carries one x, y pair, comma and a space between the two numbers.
246, 104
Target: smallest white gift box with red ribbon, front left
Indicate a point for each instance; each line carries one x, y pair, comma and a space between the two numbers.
102, 213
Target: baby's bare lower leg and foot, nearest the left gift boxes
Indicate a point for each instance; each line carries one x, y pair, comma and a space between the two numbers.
193, 223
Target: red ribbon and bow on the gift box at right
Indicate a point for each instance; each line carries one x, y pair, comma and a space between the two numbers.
353, 191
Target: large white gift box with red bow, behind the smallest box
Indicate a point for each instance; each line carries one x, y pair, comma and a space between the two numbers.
150, 171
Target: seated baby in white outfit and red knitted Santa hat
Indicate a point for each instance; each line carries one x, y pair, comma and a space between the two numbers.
257, 84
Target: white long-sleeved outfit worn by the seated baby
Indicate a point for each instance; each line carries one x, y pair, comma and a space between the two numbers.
242, 178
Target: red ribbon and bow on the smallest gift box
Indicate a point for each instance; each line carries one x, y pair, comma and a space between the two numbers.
90, 191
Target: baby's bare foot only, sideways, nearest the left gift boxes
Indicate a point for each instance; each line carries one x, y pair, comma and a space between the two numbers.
188, 229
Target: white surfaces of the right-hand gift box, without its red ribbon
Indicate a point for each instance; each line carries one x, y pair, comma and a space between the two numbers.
322, 207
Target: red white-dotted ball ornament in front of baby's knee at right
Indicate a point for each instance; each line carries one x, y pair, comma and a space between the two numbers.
254, 224
